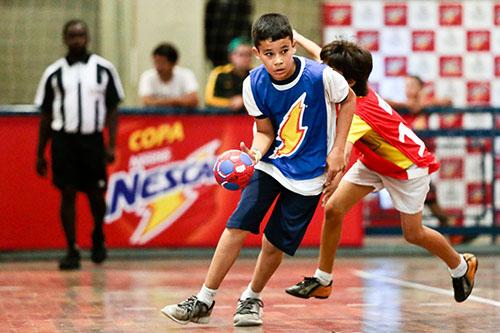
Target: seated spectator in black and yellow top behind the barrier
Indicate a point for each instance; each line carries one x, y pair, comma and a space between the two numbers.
225, 82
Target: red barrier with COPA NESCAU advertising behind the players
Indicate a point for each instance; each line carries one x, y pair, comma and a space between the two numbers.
161, 191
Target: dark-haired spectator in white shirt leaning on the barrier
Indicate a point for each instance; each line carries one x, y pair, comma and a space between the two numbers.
168, 84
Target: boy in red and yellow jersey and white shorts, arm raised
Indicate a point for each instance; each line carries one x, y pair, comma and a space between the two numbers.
392, 156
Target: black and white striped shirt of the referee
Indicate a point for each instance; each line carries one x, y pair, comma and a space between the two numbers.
78, 94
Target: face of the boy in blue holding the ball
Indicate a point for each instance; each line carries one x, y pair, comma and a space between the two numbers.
277, 57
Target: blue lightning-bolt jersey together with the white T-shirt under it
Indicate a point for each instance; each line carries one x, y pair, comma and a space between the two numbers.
302, 116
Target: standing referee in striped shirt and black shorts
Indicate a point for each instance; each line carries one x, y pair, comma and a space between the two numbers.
78, 96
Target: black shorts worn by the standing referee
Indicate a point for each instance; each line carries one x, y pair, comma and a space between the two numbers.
78, 161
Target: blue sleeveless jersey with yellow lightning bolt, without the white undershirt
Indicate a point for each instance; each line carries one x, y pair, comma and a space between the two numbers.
298, 113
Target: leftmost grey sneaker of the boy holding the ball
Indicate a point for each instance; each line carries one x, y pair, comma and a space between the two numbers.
191, 310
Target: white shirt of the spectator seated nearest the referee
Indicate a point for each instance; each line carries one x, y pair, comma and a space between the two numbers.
181, 83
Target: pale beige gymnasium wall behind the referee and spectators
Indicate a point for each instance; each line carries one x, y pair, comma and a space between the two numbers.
124, 31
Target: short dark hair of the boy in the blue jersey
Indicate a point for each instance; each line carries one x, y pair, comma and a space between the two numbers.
274, 26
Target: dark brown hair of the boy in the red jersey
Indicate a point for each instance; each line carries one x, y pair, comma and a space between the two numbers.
354, 62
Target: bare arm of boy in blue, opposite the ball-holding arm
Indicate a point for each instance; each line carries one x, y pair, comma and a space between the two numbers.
336, 161
